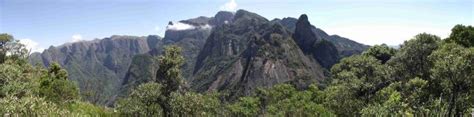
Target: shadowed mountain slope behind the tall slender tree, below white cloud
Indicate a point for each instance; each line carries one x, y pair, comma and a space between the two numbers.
143, 67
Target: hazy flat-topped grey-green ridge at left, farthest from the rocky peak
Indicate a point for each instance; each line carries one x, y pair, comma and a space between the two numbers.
97, 65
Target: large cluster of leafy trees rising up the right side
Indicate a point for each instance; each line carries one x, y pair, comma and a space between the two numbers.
426, 76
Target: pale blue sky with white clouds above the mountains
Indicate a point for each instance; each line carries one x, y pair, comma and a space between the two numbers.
41, 23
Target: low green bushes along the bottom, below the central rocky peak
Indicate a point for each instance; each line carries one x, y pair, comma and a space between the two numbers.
281, 100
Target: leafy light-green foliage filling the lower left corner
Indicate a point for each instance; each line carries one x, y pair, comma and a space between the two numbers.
34, 91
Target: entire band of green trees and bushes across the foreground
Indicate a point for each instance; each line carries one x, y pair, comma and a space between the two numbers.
427, 76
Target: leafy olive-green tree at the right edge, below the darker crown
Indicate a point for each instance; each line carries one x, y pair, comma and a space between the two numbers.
454, 68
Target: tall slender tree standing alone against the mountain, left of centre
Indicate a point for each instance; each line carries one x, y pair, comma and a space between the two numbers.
169, 75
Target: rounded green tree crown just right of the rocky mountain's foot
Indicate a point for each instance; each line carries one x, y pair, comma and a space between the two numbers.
364, 73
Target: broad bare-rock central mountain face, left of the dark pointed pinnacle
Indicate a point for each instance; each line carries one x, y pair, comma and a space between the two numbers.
252, 52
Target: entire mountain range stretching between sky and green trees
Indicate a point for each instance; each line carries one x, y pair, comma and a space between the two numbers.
231, 52
